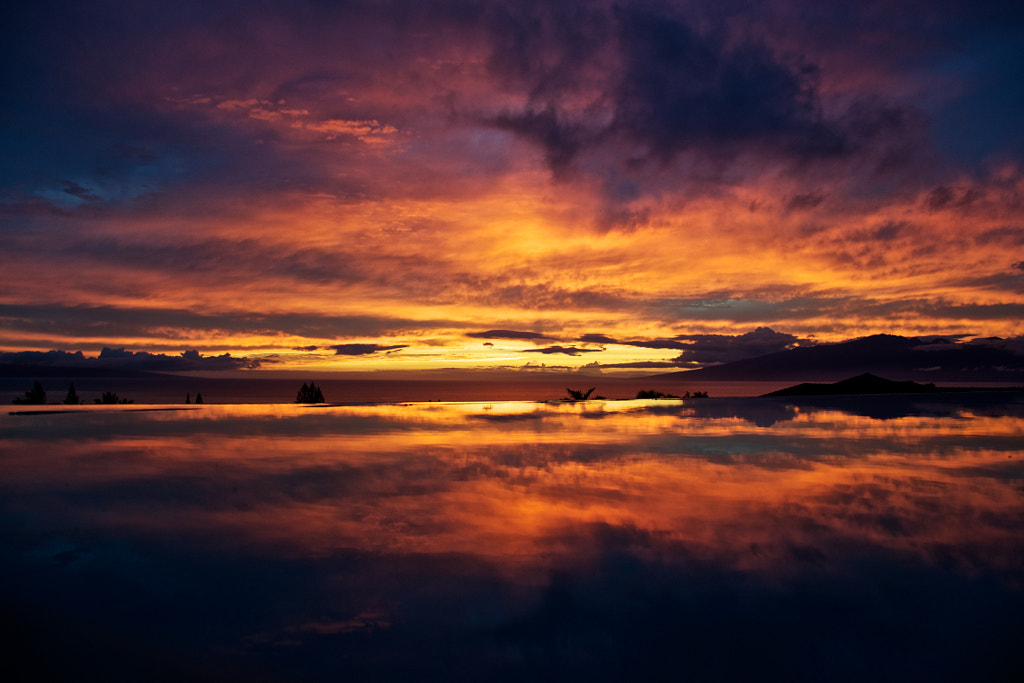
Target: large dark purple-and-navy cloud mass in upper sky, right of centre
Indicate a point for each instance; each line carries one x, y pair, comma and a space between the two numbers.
673, 87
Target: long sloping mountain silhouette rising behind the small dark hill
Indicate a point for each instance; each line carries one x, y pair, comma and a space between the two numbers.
890, 356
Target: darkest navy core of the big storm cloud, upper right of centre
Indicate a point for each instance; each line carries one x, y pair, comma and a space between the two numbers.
682, 90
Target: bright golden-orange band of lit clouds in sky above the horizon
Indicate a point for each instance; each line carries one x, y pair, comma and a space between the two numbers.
519, 258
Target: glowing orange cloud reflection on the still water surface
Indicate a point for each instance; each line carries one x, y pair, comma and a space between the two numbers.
531, 486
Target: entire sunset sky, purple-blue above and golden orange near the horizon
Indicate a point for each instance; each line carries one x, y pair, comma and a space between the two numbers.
406, 186
